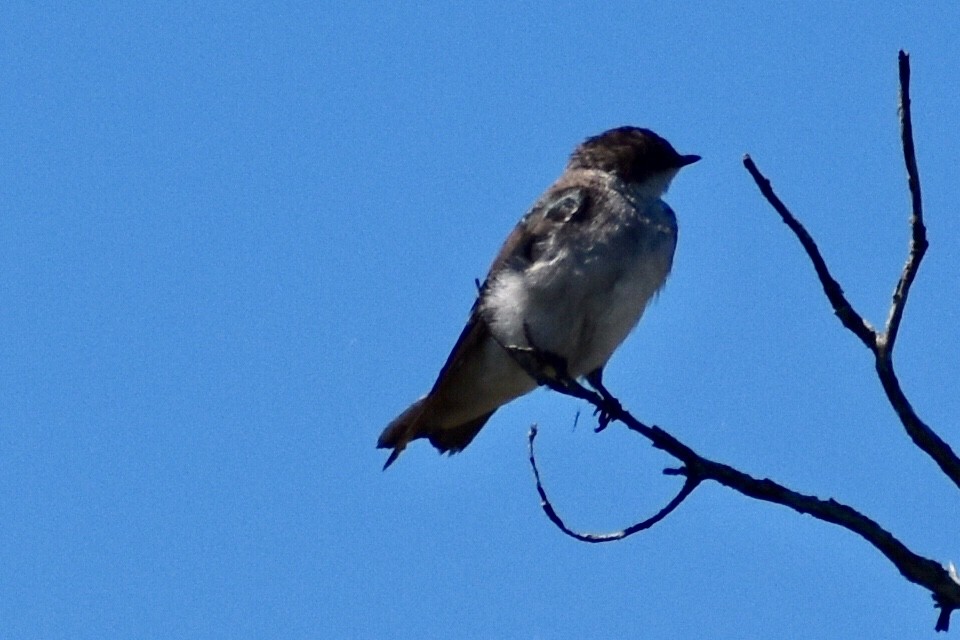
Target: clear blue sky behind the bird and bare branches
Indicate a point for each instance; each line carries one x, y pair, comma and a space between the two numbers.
236, 240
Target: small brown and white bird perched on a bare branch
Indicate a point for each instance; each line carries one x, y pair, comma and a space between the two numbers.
571, 281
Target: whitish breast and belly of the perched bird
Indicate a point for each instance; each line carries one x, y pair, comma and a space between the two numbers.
584, 300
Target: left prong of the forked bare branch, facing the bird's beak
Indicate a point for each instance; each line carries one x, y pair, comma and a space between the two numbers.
841, 306
